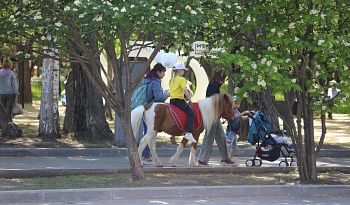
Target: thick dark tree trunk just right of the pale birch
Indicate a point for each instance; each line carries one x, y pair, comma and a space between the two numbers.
84, 113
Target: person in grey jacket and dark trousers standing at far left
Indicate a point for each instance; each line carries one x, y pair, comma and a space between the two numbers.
8, 86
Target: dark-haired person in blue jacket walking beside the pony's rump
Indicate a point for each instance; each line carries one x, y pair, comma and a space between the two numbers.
154, 94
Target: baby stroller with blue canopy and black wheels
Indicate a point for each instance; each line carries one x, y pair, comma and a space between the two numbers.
267, 148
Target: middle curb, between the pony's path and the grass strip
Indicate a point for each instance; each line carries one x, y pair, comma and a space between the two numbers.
29, 173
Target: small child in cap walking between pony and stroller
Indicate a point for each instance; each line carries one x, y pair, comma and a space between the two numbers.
234, 127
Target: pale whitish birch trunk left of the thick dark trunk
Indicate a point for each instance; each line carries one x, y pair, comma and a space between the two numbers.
47, 126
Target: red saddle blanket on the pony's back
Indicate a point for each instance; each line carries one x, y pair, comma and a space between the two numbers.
180, 117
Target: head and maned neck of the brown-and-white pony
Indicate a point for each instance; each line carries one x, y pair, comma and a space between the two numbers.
211, 108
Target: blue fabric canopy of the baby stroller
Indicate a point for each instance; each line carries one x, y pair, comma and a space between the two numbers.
259, 129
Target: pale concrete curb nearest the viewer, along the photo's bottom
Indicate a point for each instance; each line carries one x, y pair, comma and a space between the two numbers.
76, 195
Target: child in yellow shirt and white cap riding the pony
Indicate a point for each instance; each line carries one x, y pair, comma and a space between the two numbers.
178, 91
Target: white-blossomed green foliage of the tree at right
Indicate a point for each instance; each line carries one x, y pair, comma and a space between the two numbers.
285, 44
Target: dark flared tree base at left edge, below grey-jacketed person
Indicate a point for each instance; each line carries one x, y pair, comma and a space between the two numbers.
8, 128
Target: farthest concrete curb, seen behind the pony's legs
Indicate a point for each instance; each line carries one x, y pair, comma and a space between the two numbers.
100, 152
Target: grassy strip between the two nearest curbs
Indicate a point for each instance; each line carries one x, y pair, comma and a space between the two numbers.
164, 180
